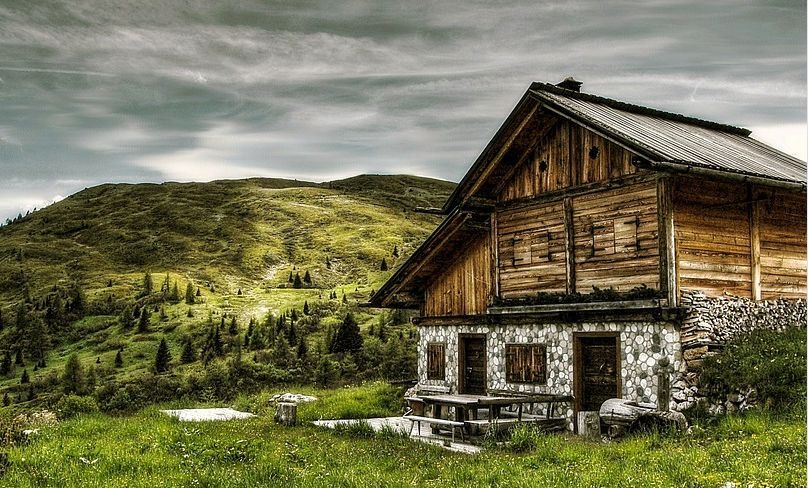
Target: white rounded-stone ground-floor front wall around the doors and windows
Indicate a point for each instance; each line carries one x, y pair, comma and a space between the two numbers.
642, 346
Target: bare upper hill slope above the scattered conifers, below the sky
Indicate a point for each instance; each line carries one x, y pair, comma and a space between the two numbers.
244, 232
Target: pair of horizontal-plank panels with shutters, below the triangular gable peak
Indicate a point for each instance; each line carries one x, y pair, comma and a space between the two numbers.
615, 243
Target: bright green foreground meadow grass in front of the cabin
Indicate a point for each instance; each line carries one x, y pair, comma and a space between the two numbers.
149, 449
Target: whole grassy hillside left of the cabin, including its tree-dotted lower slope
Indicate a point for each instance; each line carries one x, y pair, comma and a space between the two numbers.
70, 271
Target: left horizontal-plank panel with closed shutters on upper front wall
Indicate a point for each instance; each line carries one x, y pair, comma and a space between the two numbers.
532, 250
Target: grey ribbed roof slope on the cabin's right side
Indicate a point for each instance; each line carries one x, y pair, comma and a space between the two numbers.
674, 138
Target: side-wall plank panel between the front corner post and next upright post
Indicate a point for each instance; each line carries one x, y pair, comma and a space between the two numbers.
712, 234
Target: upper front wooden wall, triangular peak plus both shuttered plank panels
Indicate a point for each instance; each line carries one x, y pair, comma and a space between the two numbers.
573, 240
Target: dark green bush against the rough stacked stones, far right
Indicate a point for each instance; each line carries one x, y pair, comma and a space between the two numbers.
771, 362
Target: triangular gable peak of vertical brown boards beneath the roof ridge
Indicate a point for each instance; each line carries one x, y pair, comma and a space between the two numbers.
568, 155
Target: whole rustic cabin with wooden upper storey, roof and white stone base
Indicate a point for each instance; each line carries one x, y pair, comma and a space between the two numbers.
570, 249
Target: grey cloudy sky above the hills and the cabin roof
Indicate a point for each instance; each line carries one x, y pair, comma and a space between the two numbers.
95, 91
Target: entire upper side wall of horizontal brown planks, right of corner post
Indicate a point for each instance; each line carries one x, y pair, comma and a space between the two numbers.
741, 241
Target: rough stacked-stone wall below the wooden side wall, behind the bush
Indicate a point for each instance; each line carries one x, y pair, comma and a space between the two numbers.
712, 322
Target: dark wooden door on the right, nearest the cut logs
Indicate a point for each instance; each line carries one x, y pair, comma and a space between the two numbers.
597, 370
